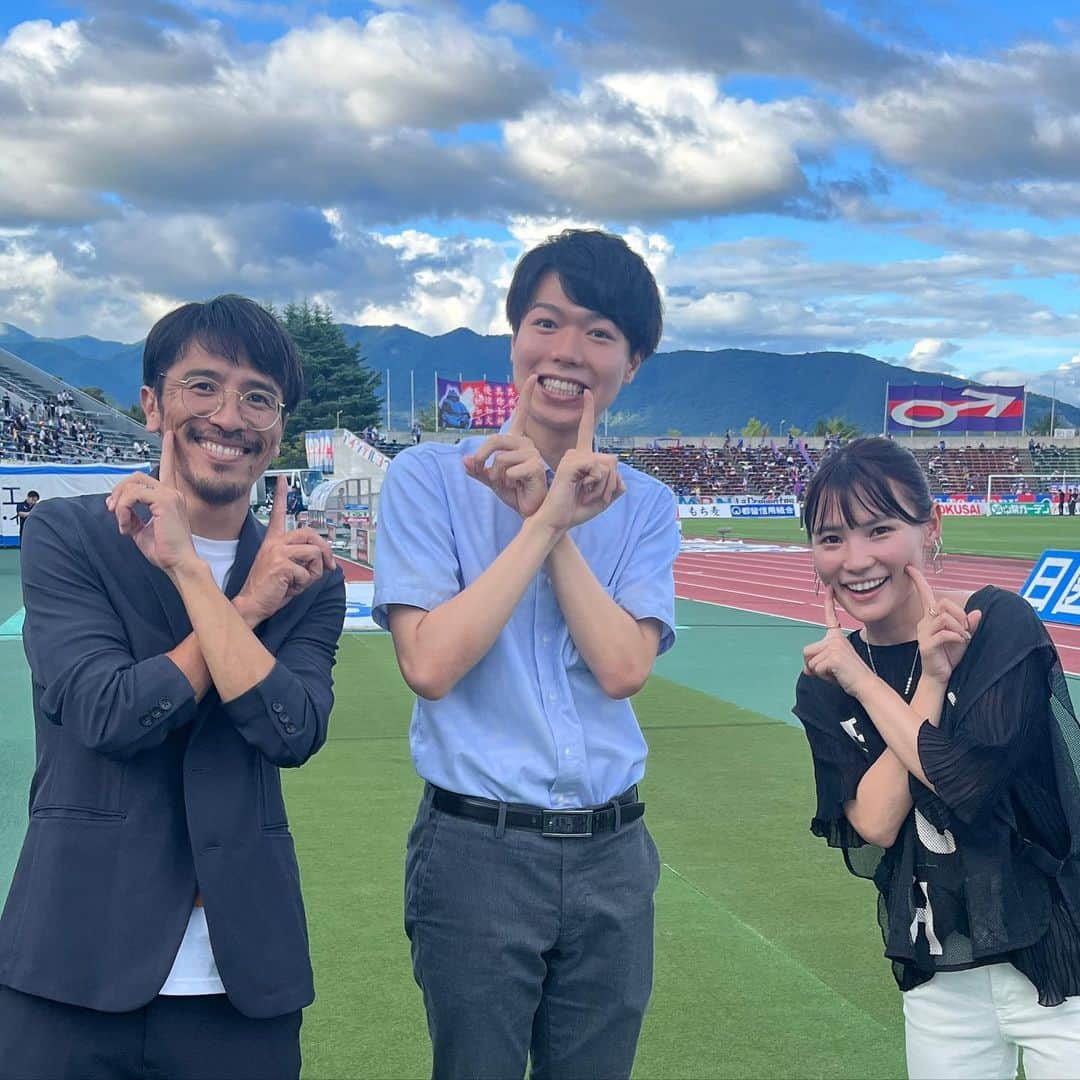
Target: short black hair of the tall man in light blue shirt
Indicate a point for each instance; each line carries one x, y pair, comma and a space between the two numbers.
600, 272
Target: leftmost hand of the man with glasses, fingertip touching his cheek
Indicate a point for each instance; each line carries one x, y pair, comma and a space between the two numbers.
166, 539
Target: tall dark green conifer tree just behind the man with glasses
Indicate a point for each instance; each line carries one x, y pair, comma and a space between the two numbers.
341, 390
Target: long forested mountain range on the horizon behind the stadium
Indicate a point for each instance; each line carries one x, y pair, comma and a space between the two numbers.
688, 393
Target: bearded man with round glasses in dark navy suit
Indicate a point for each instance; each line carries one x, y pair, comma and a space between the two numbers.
181, 654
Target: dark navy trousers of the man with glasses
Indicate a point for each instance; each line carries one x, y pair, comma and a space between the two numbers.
183, 1038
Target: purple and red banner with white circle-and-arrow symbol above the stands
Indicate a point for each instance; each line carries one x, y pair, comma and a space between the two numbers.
943, 410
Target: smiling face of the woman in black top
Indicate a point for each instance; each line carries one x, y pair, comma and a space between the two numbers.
865, 561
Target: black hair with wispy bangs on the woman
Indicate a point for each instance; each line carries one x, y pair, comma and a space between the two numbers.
871, 472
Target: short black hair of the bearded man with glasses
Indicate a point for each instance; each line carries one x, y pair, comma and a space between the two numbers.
231, 327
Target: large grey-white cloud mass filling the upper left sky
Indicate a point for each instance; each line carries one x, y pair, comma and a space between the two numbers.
334, 112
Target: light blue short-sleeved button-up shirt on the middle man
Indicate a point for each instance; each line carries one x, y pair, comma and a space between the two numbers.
530, 723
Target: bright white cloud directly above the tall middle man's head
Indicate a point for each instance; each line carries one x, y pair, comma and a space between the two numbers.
658, 145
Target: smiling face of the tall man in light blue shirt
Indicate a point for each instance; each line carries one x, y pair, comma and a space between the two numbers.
570, 348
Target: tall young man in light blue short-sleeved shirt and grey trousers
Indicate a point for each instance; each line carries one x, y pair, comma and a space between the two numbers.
528, 583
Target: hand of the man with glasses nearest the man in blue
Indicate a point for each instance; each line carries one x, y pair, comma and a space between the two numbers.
287, 564
